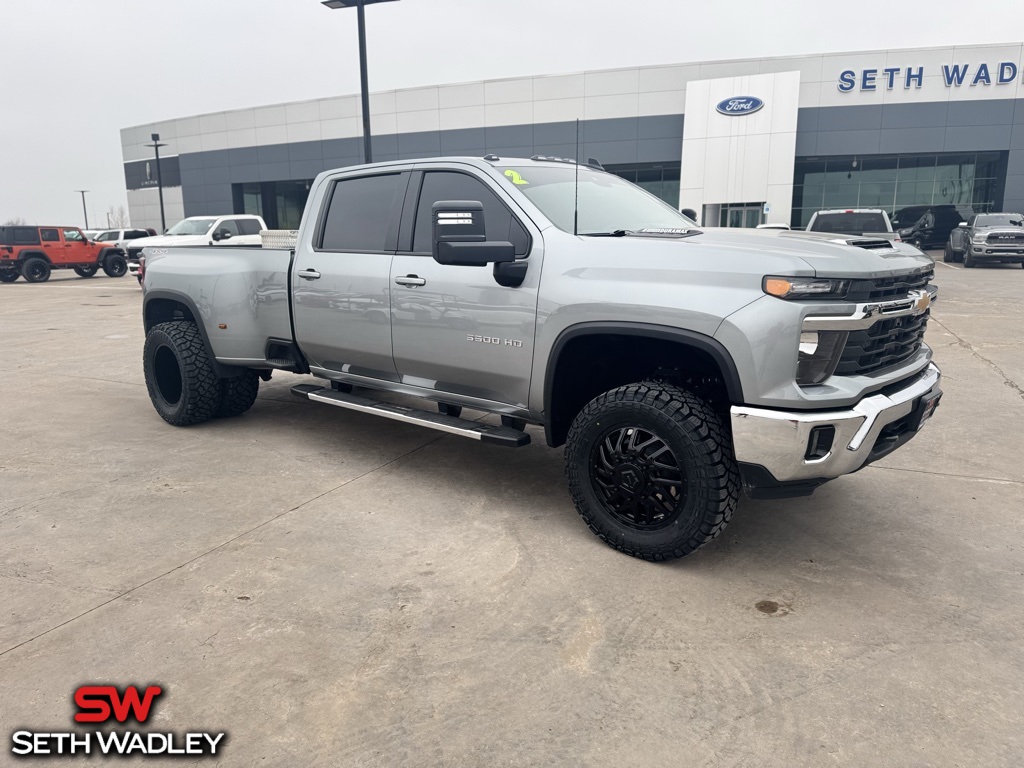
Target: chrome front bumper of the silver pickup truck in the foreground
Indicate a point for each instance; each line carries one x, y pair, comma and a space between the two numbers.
779, 441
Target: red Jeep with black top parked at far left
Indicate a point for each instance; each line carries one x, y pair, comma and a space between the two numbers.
32, 252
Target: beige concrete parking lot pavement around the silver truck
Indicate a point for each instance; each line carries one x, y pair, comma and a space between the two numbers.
333, 589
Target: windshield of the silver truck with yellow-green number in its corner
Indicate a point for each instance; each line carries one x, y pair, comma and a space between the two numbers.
608, 203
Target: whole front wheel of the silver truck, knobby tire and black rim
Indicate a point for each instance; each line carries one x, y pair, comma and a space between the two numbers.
652, 472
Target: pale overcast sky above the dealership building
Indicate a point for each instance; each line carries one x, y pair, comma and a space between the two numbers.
75, 72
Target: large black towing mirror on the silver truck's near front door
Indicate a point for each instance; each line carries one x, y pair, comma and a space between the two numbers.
460, 238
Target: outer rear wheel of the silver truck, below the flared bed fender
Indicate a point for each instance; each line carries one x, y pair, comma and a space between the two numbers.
181, 379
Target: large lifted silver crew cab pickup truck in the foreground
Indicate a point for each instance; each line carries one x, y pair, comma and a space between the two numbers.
679, 367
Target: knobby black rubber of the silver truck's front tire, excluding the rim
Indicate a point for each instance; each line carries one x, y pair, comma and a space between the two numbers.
700, 446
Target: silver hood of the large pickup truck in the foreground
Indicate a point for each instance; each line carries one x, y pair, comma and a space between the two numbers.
829, 255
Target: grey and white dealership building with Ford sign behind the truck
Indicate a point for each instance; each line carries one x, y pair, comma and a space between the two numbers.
741, 143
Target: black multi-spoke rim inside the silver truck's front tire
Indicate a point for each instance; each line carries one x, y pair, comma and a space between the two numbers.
637, 478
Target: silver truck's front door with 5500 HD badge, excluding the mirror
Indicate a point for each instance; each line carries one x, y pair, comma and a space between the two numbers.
455, 329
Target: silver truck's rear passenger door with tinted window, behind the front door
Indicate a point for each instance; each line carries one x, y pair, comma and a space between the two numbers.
342, 296
